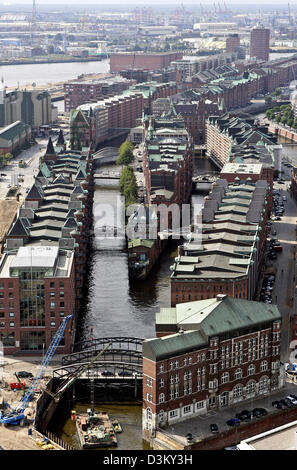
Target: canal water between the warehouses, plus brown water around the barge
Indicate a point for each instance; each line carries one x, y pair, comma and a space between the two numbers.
116, 306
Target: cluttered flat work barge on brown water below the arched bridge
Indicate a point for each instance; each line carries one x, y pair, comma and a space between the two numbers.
95, 430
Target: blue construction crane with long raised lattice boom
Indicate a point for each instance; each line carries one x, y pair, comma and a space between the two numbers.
16, 415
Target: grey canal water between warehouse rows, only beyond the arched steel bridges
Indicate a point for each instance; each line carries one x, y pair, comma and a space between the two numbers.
115, 305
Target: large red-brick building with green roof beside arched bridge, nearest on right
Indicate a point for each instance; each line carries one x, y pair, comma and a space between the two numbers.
215, 353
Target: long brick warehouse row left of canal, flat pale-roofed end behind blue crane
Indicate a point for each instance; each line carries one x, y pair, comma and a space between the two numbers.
43, 266
